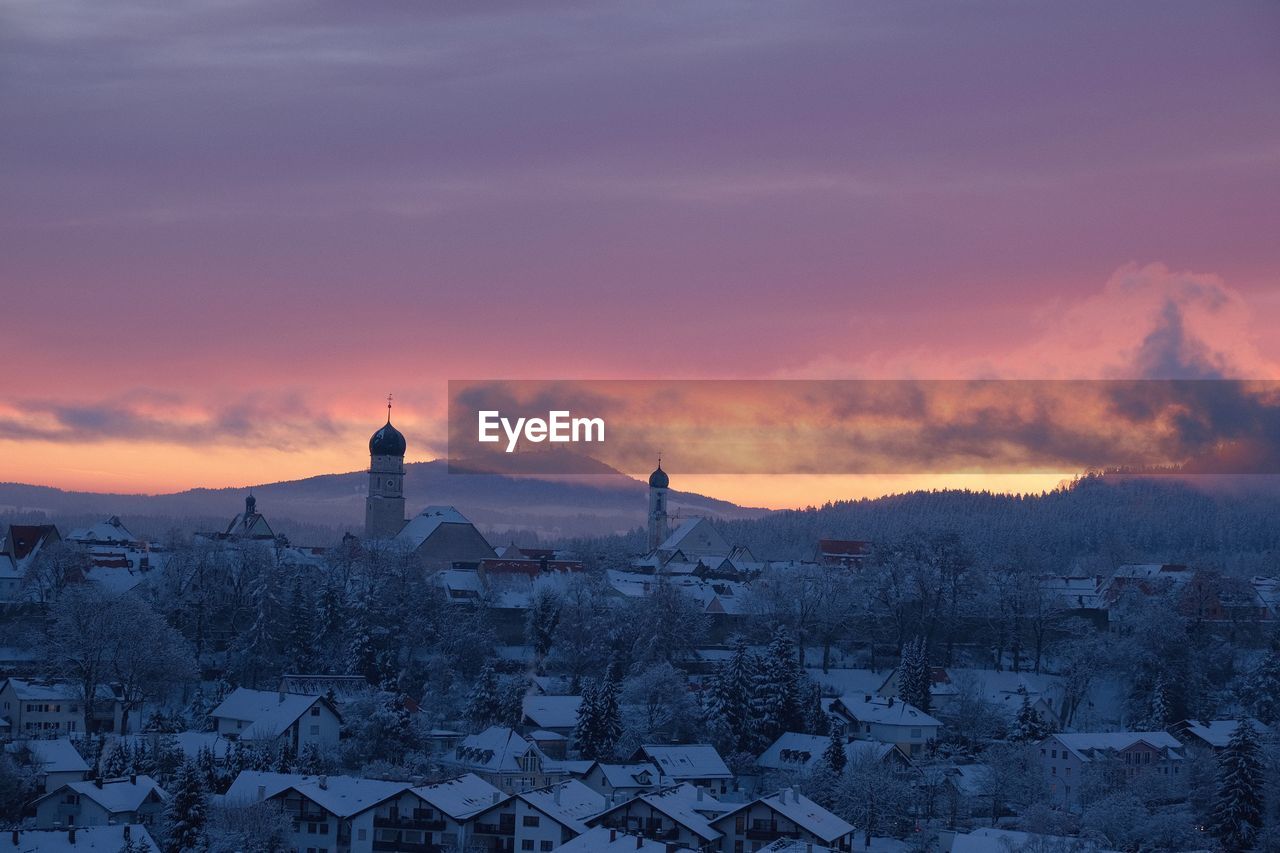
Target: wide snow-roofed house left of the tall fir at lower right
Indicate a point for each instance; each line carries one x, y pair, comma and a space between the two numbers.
1117, 756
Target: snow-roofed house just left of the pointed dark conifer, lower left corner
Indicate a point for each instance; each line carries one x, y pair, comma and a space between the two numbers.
131, 800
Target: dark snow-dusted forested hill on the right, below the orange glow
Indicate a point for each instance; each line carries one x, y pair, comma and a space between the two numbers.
1094, 524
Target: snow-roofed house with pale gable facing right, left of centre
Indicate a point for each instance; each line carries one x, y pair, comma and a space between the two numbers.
291, 720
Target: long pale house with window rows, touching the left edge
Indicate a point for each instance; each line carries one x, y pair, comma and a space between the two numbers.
49, 709
